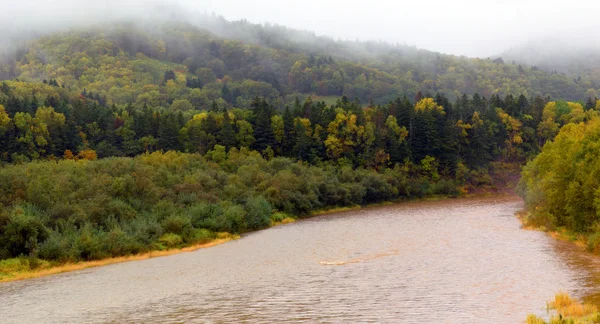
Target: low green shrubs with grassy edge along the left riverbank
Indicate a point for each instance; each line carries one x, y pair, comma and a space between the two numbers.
69, 211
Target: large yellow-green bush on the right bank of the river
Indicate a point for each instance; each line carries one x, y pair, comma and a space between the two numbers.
561, 184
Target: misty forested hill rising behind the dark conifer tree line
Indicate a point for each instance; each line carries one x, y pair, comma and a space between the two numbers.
156, 64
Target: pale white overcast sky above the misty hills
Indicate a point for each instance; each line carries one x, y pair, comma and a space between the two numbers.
464, 27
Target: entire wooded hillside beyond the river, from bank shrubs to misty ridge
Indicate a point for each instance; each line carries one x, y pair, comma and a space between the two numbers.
119, 140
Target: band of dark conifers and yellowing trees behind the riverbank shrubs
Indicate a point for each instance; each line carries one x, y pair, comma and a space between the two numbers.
39, 121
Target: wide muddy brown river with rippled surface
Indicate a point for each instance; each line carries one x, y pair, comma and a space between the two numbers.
450, 261
